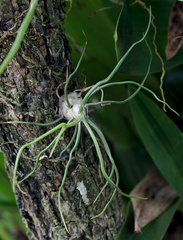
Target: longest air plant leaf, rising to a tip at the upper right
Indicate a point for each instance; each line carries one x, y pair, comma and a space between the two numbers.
90, 92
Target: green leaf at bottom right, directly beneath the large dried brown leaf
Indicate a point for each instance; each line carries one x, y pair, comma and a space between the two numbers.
155, 230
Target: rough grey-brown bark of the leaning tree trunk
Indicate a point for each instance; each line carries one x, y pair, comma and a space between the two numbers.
27, 93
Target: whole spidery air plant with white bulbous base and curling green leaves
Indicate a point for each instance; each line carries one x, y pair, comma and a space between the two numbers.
74, 109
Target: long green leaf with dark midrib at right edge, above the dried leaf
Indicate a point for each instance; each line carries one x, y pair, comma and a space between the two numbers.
162, 139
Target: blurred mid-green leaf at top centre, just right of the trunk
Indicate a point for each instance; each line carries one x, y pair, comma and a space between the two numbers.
97, 19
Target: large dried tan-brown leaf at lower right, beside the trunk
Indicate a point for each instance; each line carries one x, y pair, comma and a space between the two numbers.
160, 195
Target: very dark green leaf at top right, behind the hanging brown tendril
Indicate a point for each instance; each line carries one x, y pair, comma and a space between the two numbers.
131, 26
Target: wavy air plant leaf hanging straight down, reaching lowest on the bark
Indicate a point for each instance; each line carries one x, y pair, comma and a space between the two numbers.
65, 173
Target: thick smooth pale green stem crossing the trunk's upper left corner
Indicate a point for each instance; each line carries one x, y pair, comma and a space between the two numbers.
20, 35
